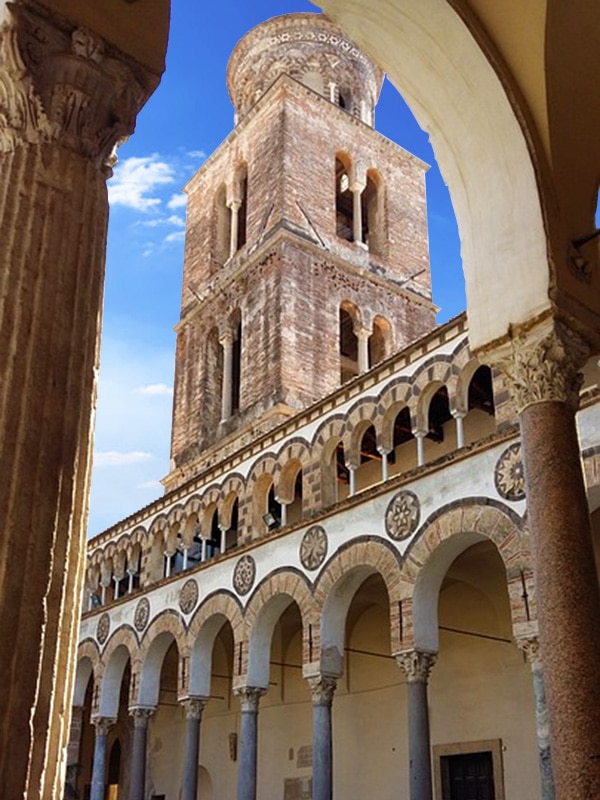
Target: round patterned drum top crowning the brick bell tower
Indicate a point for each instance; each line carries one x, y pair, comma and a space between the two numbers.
310, 49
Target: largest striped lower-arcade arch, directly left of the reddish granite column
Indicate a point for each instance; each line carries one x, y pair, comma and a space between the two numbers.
444, 536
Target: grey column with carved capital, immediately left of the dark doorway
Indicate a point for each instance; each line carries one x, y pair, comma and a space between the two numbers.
417, 666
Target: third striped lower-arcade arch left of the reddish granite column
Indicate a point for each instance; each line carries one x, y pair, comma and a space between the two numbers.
268, 602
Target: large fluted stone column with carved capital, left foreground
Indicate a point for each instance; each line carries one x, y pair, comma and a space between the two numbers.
66, 98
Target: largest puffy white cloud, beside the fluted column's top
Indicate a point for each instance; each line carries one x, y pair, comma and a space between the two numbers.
135, 182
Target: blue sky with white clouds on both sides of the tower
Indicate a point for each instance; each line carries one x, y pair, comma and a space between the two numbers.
186, 119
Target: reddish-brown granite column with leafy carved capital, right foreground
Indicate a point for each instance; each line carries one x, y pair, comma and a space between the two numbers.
542, 370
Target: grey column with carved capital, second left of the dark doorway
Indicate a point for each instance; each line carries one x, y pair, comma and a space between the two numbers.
322, 689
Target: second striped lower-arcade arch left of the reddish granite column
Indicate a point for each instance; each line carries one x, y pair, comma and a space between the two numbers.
337, 585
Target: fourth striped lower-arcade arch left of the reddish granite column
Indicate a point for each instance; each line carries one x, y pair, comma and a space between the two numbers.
217, 610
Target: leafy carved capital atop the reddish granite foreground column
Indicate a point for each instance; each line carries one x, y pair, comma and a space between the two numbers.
543, 364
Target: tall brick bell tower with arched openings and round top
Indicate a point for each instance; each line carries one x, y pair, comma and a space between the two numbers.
306, 255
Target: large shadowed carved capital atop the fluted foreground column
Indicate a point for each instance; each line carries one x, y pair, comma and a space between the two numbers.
64, 84
